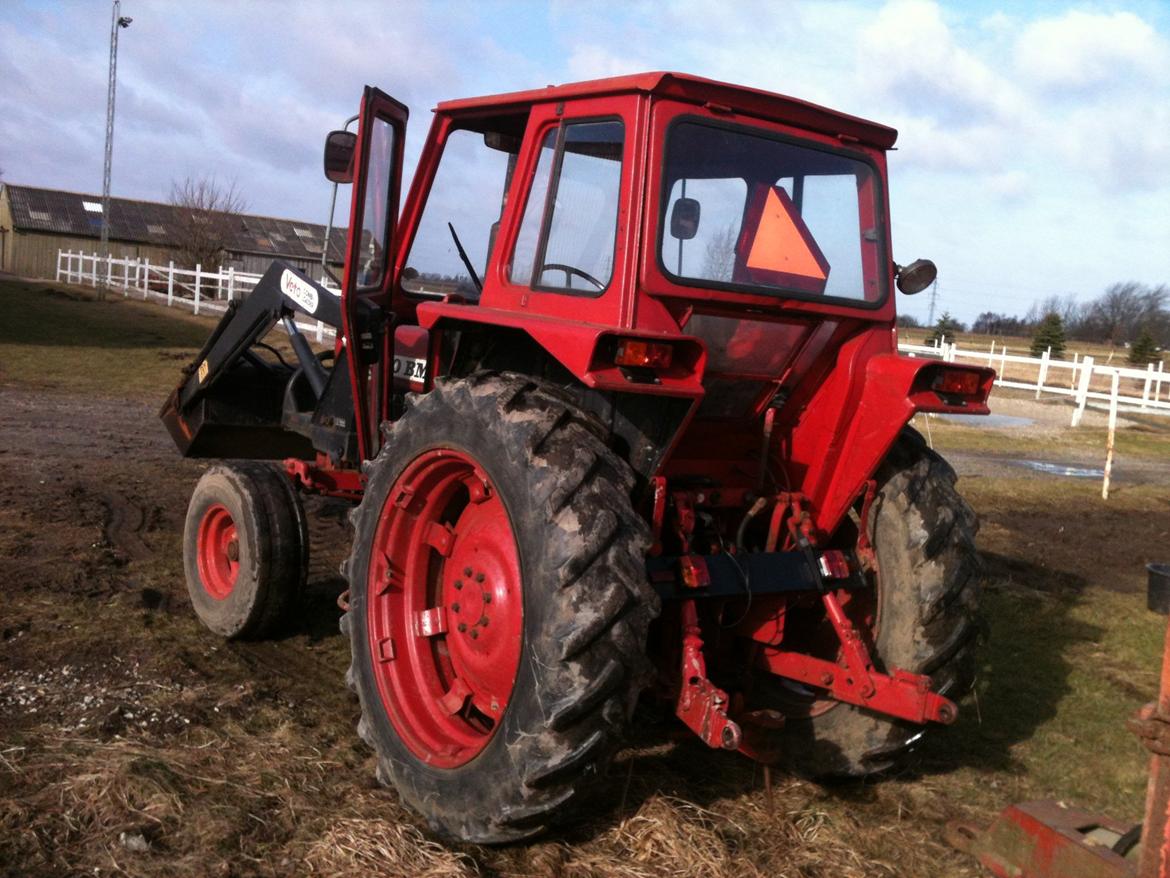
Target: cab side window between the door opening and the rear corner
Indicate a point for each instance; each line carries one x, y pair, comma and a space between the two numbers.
570, 225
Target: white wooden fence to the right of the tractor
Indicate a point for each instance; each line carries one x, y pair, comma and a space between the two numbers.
1128, 388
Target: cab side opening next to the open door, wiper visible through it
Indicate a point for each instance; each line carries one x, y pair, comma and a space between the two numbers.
465, 204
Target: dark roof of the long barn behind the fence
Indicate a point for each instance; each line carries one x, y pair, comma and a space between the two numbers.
75, 214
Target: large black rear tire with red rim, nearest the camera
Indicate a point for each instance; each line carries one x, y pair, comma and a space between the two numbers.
499, 607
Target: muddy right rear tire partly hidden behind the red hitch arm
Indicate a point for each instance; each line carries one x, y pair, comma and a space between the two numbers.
927, 615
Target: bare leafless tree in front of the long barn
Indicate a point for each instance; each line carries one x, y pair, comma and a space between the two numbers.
205, 221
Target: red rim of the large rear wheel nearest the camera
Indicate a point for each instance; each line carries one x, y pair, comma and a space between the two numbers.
445, 613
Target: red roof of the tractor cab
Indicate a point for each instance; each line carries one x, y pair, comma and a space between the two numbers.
694, 90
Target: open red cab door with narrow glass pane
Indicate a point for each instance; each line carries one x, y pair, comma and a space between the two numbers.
374, 211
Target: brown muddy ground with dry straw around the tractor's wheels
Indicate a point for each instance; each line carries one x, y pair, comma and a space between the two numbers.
135, 743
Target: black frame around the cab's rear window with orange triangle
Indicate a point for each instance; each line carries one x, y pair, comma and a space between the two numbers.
776, 293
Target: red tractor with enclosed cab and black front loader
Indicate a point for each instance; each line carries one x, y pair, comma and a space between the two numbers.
618, 401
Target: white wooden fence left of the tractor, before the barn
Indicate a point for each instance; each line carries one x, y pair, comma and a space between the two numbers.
195, 290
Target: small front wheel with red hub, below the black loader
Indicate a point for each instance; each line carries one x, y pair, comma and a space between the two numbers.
245, 550
